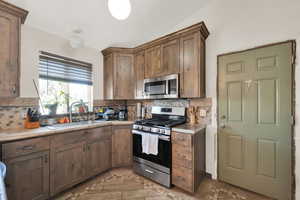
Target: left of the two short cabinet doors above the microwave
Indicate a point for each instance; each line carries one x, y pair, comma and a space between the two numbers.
153, 67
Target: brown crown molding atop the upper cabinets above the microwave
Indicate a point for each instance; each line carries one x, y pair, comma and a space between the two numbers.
196, 27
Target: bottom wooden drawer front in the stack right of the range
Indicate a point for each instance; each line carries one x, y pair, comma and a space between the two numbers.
182, 178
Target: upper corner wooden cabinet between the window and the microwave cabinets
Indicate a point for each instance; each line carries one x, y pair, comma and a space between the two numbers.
118, 74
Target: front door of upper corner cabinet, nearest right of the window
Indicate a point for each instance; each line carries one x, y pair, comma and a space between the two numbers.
124, 81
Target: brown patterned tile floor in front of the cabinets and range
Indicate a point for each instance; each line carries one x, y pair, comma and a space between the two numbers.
123, 184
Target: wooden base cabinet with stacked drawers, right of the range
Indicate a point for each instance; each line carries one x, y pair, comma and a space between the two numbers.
188, 160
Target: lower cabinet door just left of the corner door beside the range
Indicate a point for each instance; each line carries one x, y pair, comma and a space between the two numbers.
98, 156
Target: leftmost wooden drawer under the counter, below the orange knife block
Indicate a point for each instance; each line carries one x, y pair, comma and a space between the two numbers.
24, 147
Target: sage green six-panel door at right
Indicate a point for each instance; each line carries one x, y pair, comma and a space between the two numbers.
254, 119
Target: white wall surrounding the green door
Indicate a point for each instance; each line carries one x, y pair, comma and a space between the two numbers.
237, 25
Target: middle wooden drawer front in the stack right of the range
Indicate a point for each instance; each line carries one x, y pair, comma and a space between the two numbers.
182, 156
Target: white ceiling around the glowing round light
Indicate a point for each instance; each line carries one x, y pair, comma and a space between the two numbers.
148, 20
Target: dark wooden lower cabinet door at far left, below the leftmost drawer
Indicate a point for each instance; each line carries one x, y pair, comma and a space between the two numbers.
28, 177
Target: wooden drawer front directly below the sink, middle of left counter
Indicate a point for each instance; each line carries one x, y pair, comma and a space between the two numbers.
68, 138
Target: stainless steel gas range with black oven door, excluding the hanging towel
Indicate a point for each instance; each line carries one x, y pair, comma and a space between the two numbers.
156, 167
